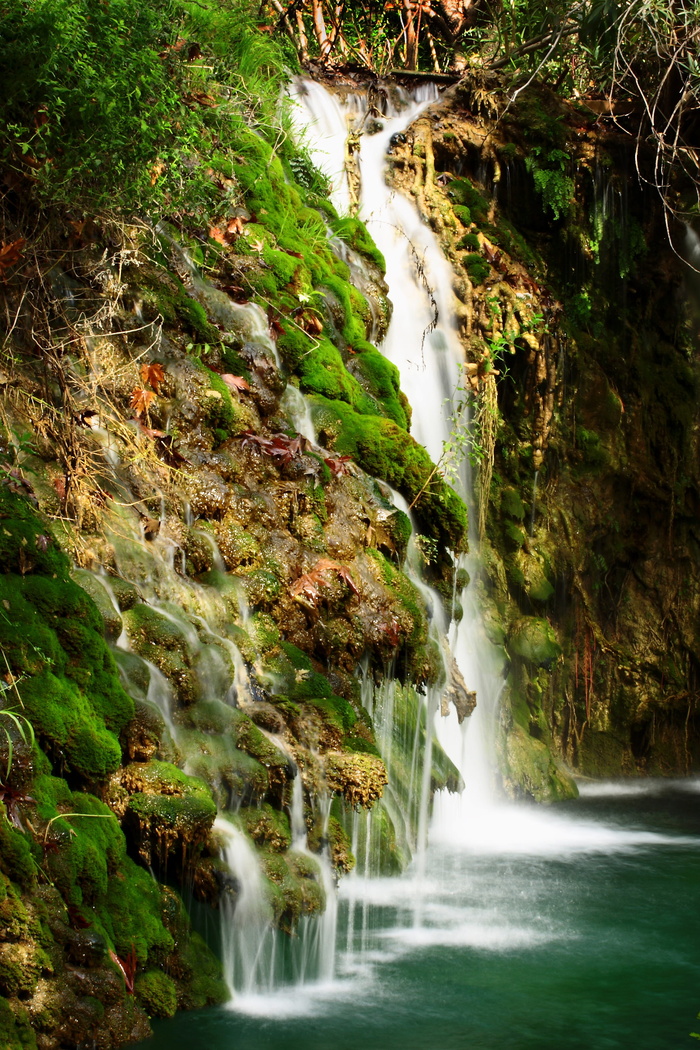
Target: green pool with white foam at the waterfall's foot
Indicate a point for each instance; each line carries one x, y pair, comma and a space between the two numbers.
569, 930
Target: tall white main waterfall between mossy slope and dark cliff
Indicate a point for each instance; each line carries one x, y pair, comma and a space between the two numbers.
423, 343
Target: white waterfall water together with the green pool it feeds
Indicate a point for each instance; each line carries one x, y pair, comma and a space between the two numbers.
516, 927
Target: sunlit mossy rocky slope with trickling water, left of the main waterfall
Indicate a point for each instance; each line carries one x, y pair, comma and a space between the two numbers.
190, 586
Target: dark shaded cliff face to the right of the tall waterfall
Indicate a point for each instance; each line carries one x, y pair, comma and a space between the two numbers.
577, 314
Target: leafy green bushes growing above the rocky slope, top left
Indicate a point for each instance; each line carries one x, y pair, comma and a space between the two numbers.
102, 104
